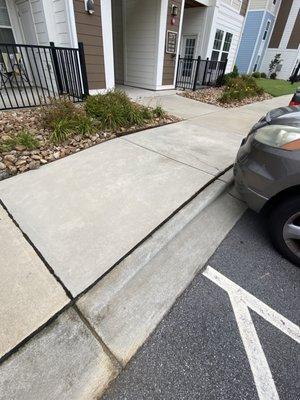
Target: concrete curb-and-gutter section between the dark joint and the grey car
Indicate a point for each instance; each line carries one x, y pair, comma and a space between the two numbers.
125, 307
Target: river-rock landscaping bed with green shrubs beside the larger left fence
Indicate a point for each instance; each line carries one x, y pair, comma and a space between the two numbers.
30, 138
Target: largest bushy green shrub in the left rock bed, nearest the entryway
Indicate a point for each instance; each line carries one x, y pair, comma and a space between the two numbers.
115, 110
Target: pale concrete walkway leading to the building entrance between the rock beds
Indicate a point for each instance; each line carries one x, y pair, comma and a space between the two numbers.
179, 106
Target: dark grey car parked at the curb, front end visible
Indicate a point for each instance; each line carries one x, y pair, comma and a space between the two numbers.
267, 175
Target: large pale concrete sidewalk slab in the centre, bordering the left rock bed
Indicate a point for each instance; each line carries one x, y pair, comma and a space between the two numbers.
88, 210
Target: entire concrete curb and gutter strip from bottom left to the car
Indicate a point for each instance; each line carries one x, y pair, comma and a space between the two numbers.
81, 351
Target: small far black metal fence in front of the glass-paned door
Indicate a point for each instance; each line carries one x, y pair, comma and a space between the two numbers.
194, 73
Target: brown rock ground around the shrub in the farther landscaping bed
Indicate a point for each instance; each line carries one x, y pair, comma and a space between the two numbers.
212, 96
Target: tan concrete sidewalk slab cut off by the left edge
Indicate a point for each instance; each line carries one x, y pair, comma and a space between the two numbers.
29, 294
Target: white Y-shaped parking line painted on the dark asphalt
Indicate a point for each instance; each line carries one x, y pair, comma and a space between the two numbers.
241, 301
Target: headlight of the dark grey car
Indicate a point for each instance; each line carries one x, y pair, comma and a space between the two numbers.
280, 136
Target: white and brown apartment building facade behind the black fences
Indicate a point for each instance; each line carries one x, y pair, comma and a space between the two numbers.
129, 42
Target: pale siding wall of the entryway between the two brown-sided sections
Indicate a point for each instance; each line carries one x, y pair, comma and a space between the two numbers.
141, 29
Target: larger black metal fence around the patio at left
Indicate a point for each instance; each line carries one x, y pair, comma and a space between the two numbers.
31, 75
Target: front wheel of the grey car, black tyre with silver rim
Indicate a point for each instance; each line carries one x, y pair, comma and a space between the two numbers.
284, 227
